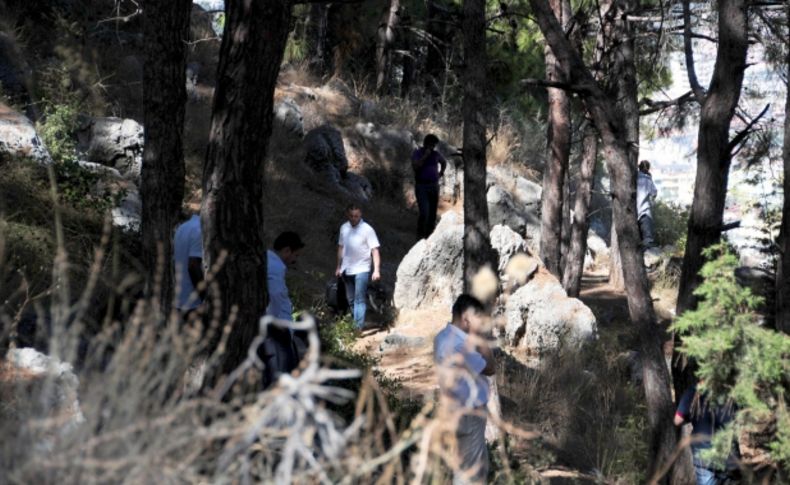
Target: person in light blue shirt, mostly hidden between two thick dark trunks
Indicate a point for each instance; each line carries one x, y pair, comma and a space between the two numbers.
188, 261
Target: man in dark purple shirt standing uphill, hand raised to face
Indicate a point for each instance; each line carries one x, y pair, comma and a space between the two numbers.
429, 166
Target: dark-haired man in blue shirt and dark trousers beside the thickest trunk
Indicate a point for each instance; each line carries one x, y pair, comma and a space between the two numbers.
279, 350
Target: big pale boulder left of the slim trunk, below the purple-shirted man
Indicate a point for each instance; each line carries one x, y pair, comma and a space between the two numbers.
431, 273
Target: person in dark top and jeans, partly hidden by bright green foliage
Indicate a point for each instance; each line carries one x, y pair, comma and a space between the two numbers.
706, 418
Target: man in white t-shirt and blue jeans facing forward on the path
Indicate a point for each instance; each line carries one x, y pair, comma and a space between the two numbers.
357, 246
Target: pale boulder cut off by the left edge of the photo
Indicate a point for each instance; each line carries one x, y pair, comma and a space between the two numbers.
18, 137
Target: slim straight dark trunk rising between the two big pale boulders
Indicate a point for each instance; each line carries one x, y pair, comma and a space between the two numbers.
477, 244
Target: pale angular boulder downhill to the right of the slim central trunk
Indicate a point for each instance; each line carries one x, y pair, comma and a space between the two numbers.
541, 319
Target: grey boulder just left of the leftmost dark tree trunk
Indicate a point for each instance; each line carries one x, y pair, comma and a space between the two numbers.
114, 142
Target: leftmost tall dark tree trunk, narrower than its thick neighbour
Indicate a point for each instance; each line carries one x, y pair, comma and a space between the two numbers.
166, 31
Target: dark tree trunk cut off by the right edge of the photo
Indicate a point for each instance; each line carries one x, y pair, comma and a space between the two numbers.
783, 271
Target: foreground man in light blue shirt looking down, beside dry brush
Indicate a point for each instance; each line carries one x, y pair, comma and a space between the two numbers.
464, 360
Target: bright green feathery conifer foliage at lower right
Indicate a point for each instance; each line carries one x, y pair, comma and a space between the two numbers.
740, 362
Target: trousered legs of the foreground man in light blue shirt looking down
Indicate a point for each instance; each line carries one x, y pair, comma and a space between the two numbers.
472, 450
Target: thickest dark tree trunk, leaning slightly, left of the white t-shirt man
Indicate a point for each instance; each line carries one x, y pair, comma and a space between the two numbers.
252, 49
